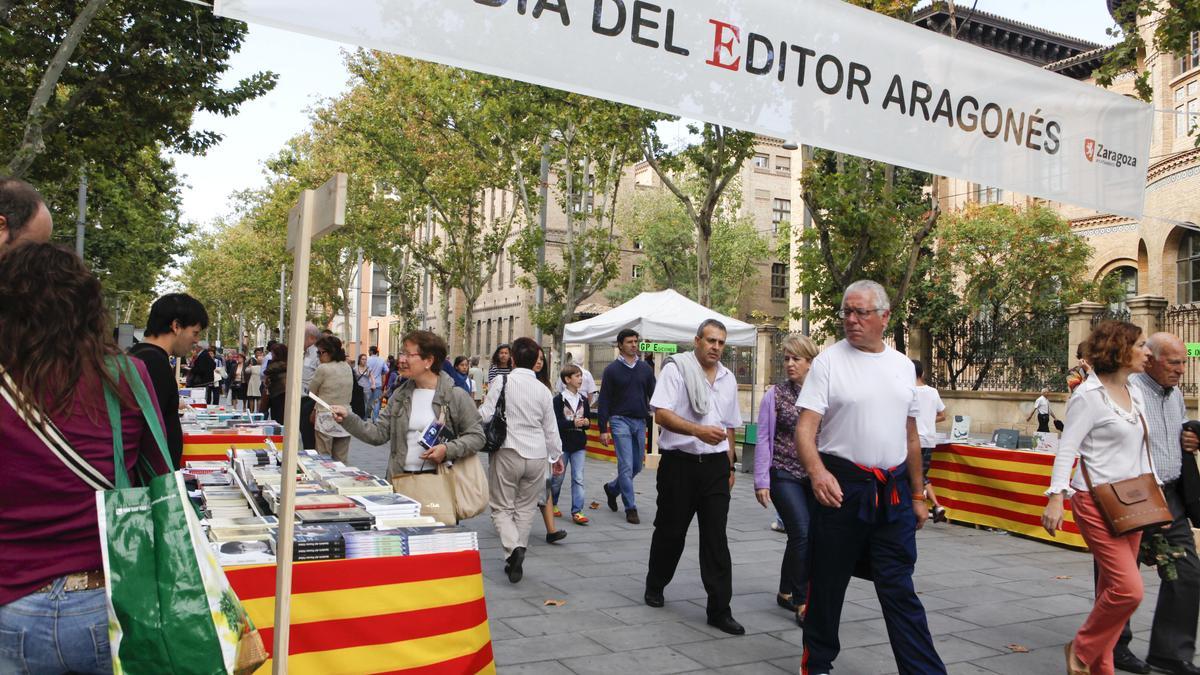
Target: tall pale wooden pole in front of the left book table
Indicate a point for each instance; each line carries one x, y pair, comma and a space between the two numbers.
292, 433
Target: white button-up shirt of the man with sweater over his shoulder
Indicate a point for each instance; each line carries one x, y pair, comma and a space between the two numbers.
671, 393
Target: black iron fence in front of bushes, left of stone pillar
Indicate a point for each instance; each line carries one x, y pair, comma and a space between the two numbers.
1017, 354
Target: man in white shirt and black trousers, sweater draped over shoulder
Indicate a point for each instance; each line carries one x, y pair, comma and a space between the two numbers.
697, 404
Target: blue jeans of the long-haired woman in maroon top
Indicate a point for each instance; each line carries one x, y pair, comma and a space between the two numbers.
56, 632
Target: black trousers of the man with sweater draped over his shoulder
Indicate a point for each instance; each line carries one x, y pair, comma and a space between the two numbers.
694, 486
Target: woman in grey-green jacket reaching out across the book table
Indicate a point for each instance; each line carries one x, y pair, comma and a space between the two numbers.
425, 398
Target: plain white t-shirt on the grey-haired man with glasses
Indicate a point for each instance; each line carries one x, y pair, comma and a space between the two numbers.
866, 401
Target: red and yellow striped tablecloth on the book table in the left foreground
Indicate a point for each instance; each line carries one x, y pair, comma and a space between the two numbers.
418, 616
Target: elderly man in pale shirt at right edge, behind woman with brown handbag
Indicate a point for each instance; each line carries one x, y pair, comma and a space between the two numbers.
1174, 632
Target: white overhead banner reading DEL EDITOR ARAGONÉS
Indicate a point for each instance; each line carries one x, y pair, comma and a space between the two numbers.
814, 71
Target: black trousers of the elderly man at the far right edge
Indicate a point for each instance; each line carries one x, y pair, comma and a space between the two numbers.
1174, 632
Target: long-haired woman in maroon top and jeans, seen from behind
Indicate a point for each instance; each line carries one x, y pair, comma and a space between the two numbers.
55, 341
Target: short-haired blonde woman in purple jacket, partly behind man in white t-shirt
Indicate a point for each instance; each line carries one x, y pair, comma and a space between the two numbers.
779, 476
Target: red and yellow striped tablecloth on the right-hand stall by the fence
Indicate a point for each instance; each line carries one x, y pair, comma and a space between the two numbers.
999, 488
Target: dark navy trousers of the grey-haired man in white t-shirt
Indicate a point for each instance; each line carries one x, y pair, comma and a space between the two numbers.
841, 542
